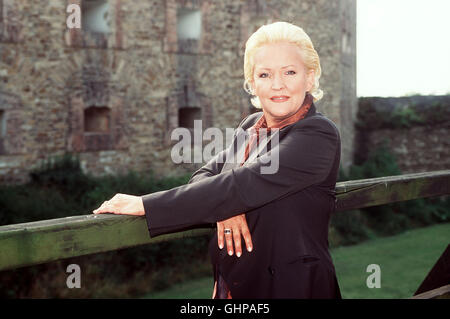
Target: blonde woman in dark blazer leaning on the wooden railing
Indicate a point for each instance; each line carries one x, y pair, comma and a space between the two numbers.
282, 215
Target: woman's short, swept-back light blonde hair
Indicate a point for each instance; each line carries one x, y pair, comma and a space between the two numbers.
278, 32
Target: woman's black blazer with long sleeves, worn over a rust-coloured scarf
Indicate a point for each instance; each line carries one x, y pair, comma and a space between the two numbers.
287, 212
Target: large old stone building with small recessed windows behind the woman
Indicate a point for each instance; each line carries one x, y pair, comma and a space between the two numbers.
113, 90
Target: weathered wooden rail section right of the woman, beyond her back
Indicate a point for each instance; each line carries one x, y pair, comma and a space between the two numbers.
391, 189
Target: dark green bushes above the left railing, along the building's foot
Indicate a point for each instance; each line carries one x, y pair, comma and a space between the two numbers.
59, 188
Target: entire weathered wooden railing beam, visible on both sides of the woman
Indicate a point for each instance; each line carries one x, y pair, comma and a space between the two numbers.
39, 242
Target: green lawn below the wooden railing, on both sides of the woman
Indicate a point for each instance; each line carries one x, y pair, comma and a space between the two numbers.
404, 259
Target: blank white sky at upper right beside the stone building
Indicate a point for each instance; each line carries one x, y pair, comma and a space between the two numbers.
403, 47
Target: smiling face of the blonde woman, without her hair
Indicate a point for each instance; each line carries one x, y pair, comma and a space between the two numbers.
280, 80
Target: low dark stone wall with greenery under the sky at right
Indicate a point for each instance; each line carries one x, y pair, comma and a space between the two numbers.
415, 129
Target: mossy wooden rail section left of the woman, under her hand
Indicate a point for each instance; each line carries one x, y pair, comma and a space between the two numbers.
39, 242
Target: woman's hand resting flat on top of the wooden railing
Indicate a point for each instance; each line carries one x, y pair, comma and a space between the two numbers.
122, 204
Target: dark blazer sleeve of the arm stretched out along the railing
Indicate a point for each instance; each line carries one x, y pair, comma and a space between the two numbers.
305, 156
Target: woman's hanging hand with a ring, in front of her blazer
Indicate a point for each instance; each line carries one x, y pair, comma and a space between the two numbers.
238, 226
